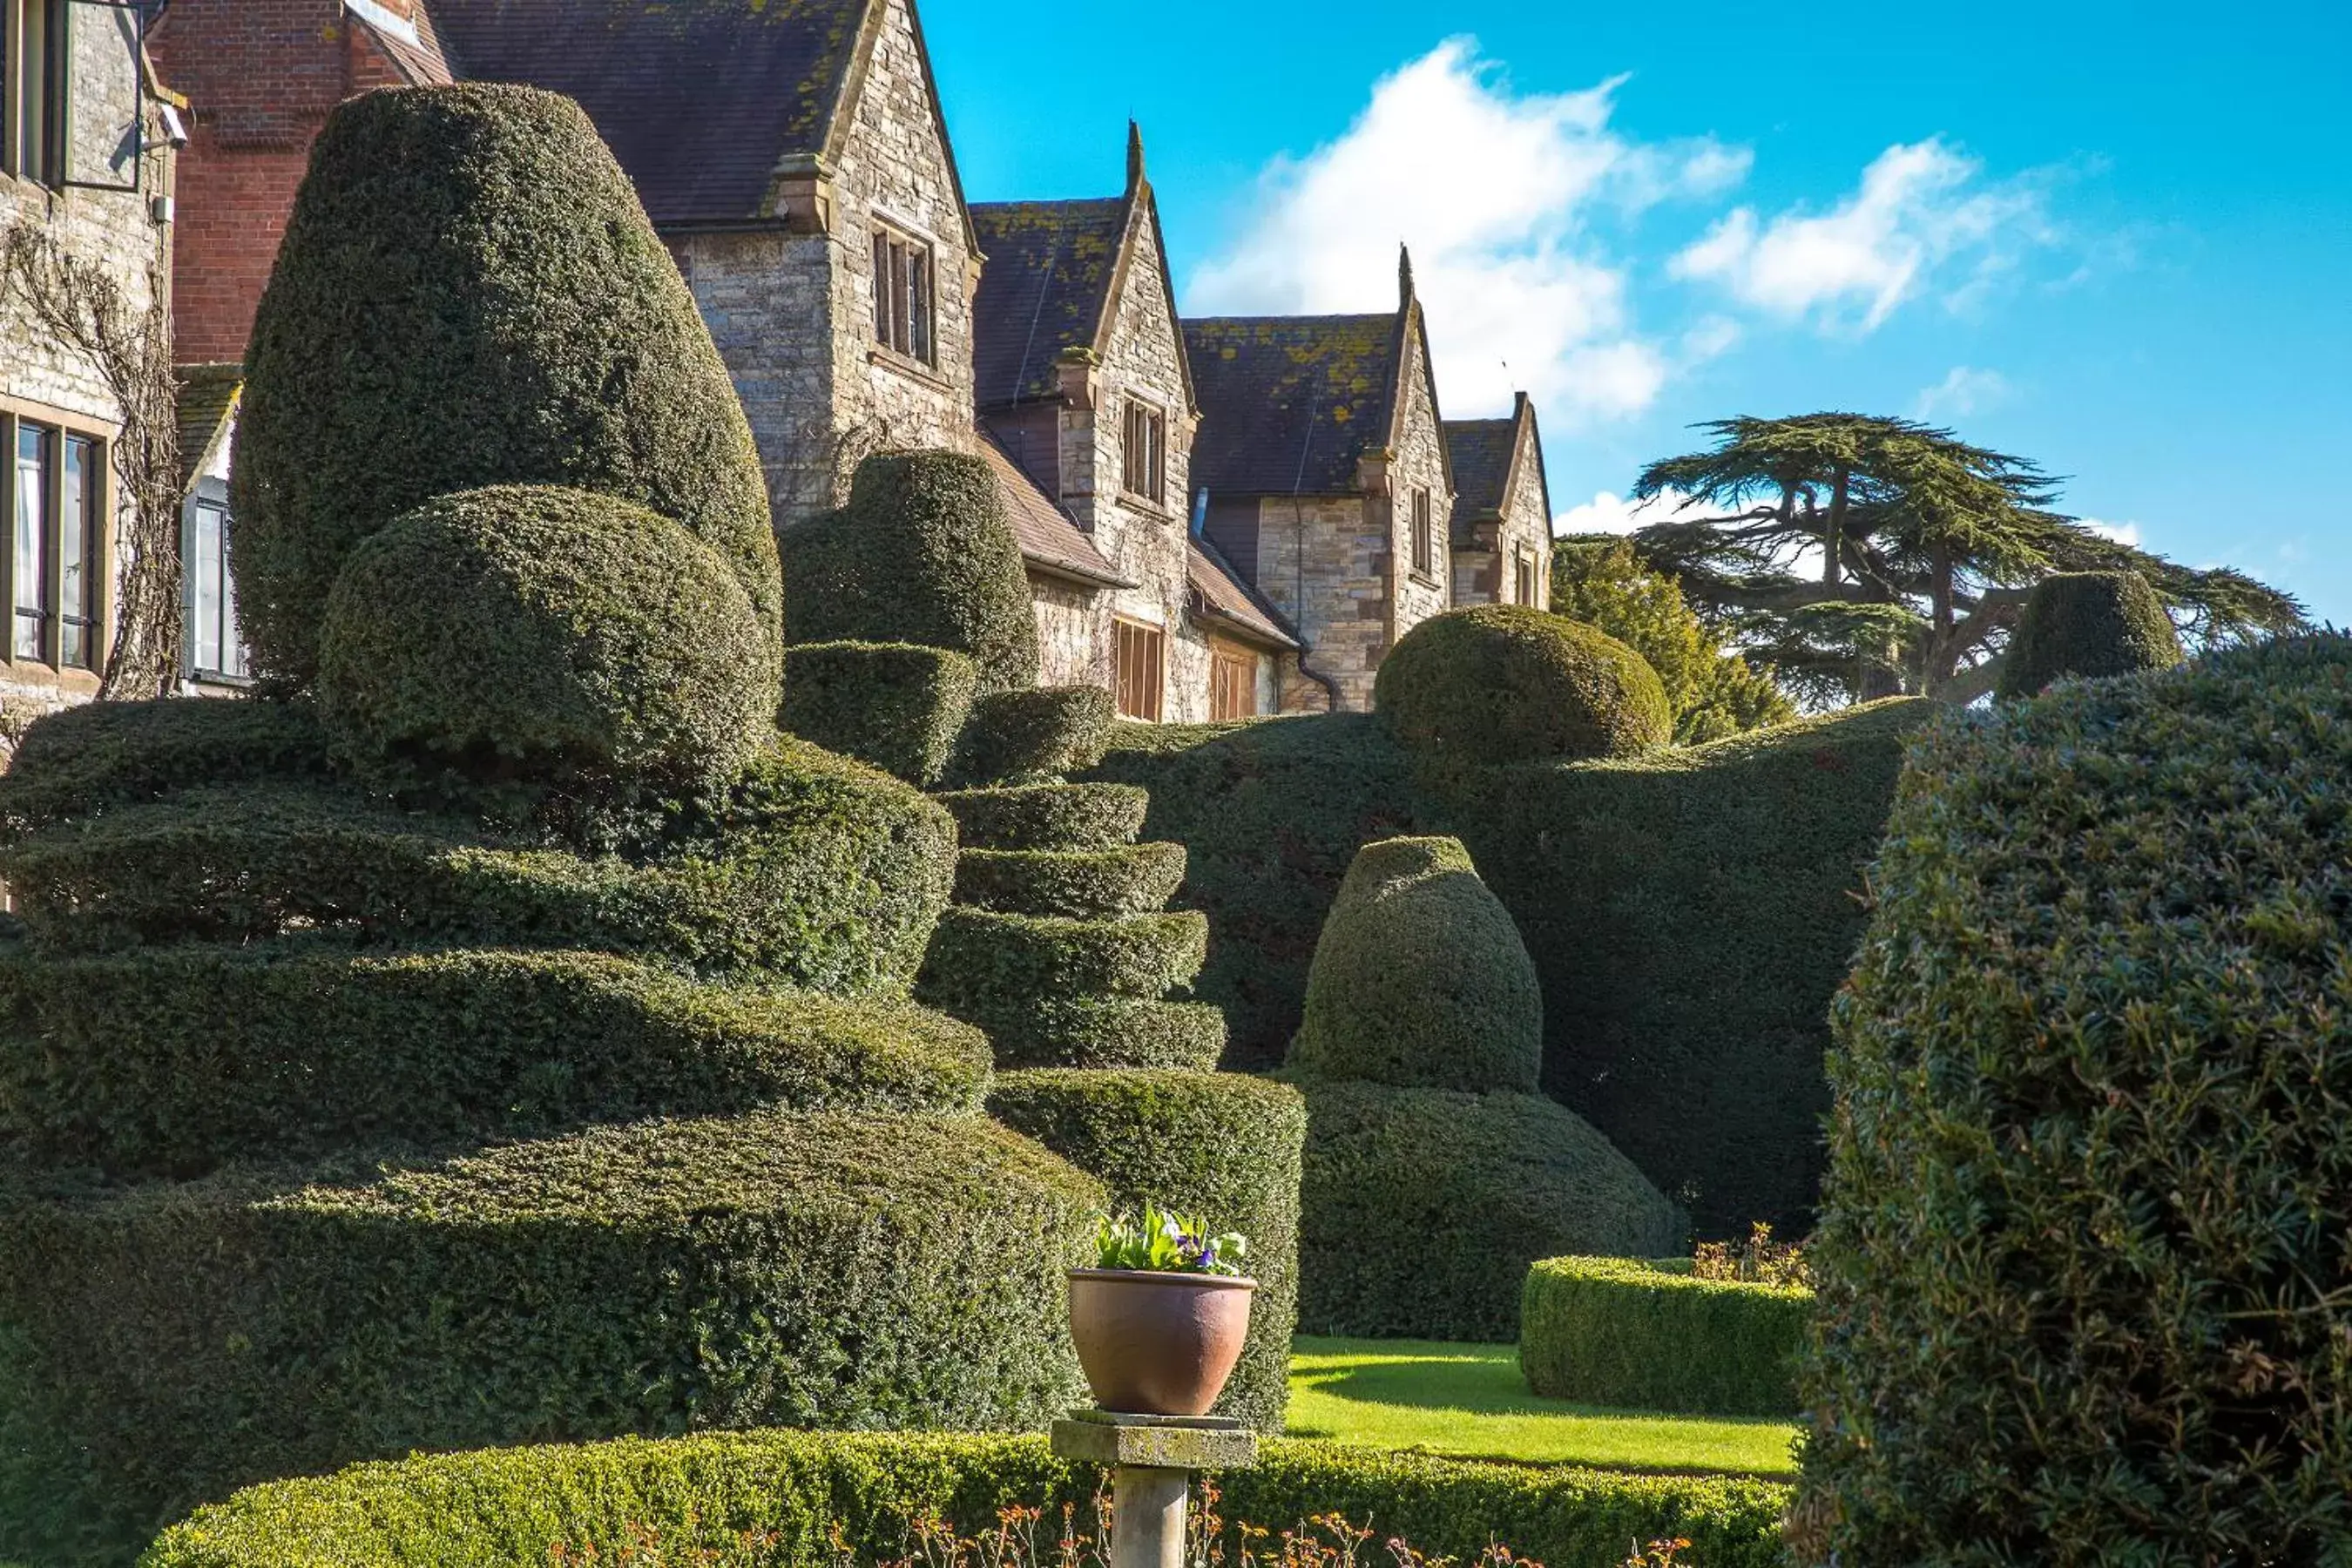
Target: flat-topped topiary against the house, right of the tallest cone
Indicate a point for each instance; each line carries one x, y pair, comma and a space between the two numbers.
923, 554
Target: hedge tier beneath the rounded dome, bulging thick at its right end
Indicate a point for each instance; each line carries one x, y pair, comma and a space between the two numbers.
817, 873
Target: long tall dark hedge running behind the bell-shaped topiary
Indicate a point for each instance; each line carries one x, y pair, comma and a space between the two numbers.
1690, 913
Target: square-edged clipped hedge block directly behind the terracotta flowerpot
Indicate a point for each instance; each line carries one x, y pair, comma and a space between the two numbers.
1220, 1146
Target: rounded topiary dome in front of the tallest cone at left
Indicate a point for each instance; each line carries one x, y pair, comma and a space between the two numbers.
547, 638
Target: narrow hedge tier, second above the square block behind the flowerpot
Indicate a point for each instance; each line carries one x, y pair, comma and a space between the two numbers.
989, 963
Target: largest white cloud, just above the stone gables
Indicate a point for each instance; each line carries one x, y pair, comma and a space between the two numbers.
1497, 194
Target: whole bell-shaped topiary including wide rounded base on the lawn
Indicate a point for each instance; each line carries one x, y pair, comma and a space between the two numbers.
1434, 1172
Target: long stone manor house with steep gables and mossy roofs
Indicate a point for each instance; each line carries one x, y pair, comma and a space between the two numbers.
1222, 518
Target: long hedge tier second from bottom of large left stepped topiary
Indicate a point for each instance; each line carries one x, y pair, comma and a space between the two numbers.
180, 1059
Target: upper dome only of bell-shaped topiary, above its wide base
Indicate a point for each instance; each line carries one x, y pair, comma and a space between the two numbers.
1419, 979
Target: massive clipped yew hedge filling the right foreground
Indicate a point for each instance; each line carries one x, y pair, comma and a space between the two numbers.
2085, 1289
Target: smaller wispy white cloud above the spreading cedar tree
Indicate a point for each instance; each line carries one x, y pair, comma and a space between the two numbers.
1923, 220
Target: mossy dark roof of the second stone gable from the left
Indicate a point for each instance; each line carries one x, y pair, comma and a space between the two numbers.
1055, 279
